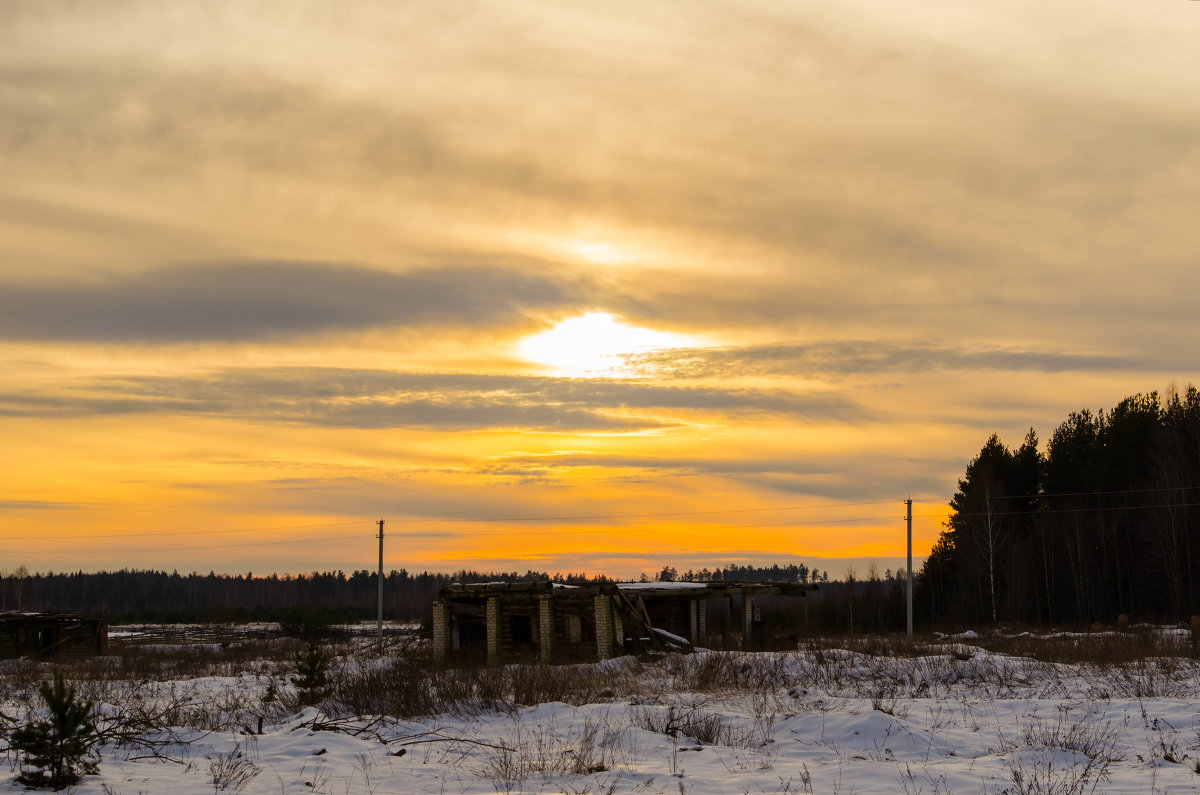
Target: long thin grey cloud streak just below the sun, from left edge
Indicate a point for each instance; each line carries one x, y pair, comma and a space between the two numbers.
387, 399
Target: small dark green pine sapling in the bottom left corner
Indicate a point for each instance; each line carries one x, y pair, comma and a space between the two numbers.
58, 752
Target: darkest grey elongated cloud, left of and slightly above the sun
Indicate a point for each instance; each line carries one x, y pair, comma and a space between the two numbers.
256, 301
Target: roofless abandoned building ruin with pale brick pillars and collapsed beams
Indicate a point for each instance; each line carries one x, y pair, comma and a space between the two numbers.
502, 623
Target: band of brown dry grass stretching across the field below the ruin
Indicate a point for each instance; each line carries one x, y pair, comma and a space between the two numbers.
153, 683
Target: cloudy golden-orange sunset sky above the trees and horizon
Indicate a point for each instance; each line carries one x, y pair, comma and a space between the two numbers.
569, 286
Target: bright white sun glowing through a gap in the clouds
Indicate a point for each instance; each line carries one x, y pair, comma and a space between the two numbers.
595, 344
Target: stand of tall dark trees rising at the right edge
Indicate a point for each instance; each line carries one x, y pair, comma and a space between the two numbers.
1101, 524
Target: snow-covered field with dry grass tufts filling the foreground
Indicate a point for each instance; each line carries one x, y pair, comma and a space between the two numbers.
945, 718
